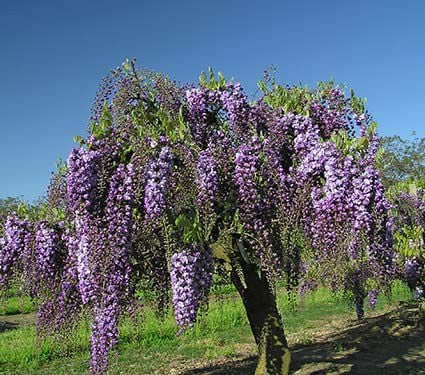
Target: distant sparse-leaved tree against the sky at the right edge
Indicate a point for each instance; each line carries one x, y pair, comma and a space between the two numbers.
402, 159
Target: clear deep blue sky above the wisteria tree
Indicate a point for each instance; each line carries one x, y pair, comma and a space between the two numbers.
54, 53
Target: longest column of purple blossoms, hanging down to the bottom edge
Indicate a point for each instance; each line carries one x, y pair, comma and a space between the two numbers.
116, 284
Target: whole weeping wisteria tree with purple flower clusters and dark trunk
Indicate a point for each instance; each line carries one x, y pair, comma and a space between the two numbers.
174, 183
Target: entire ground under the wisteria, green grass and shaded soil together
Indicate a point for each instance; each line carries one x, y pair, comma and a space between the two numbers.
387, 342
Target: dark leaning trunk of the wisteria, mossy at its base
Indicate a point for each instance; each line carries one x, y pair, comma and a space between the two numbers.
265, 321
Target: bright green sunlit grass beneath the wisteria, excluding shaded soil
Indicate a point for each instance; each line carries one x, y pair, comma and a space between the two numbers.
144, 348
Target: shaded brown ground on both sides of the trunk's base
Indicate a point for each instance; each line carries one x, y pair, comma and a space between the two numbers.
387, 344
